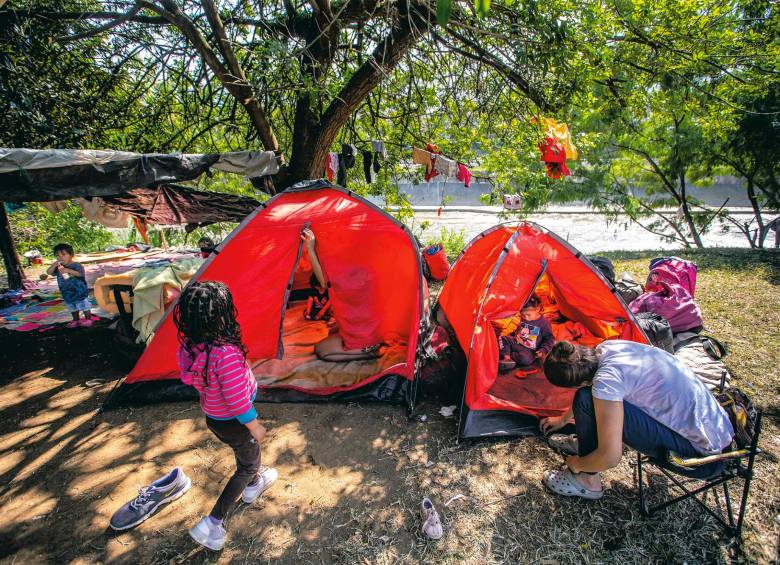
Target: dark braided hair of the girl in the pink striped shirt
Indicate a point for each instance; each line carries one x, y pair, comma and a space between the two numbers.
206, 315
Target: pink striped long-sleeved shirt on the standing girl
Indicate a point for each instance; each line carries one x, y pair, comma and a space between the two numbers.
231, 386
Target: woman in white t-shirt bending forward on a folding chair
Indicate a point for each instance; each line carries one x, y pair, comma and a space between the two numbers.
634, 394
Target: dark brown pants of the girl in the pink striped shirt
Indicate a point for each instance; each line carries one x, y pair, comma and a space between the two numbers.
247, 452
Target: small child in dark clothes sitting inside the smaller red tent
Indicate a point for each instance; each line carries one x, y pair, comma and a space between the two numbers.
533, 339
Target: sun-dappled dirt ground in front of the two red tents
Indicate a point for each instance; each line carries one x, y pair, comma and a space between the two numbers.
351, 476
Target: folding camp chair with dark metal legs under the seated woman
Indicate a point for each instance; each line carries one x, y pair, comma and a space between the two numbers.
738, 464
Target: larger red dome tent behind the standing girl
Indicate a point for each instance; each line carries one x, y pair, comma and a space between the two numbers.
263, 262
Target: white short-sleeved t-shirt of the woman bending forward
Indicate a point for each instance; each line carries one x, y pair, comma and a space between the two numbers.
665, 389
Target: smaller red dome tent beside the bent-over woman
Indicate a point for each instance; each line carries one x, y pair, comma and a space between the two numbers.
491, 279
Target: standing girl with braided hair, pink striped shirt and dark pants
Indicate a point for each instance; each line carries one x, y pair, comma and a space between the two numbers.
212, 358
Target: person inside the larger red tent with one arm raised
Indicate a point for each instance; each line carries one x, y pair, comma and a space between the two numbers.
356, 334
